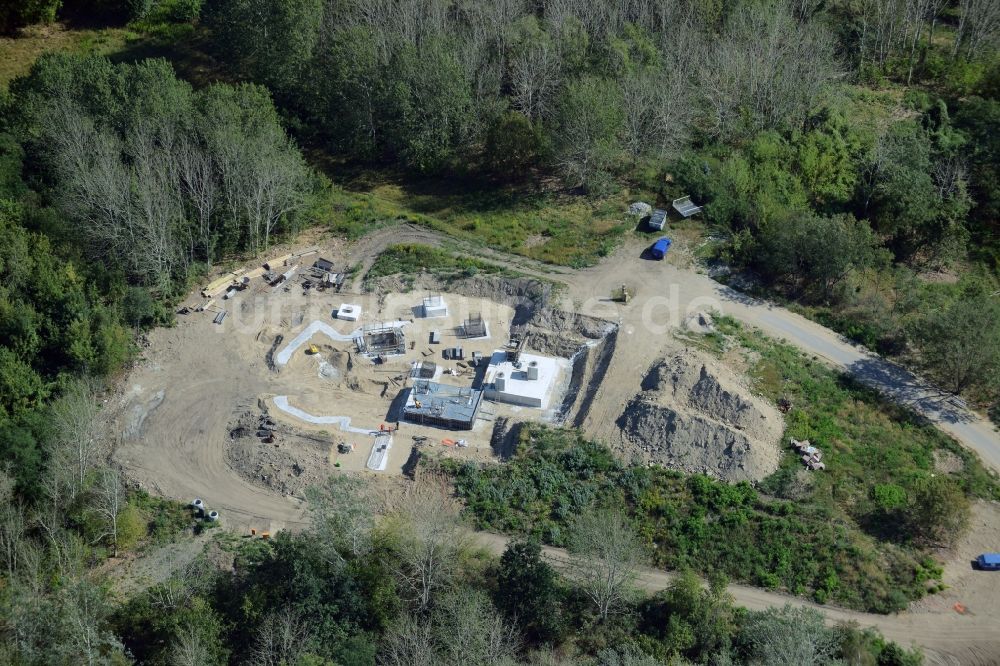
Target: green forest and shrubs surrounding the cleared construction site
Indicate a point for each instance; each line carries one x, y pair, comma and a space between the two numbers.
846, 153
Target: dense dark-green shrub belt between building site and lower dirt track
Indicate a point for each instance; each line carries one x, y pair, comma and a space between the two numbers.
690, 522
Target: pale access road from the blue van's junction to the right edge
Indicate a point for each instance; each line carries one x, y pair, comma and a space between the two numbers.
664, 293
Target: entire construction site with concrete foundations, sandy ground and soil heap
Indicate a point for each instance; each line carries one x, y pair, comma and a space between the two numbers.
278, 375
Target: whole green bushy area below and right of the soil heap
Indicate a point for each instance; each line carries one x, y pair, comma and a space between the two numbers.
855, 535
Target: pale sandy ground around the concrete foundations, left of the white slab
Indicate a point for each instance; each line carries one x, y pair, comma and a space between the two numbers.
188, 412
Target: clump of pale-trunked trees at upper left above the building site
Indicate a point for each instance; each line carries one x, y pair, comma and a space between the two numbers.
156, 175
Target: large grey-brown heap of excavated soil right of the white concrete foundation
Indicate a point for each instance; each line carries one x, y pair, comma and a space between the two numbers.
694, 415
